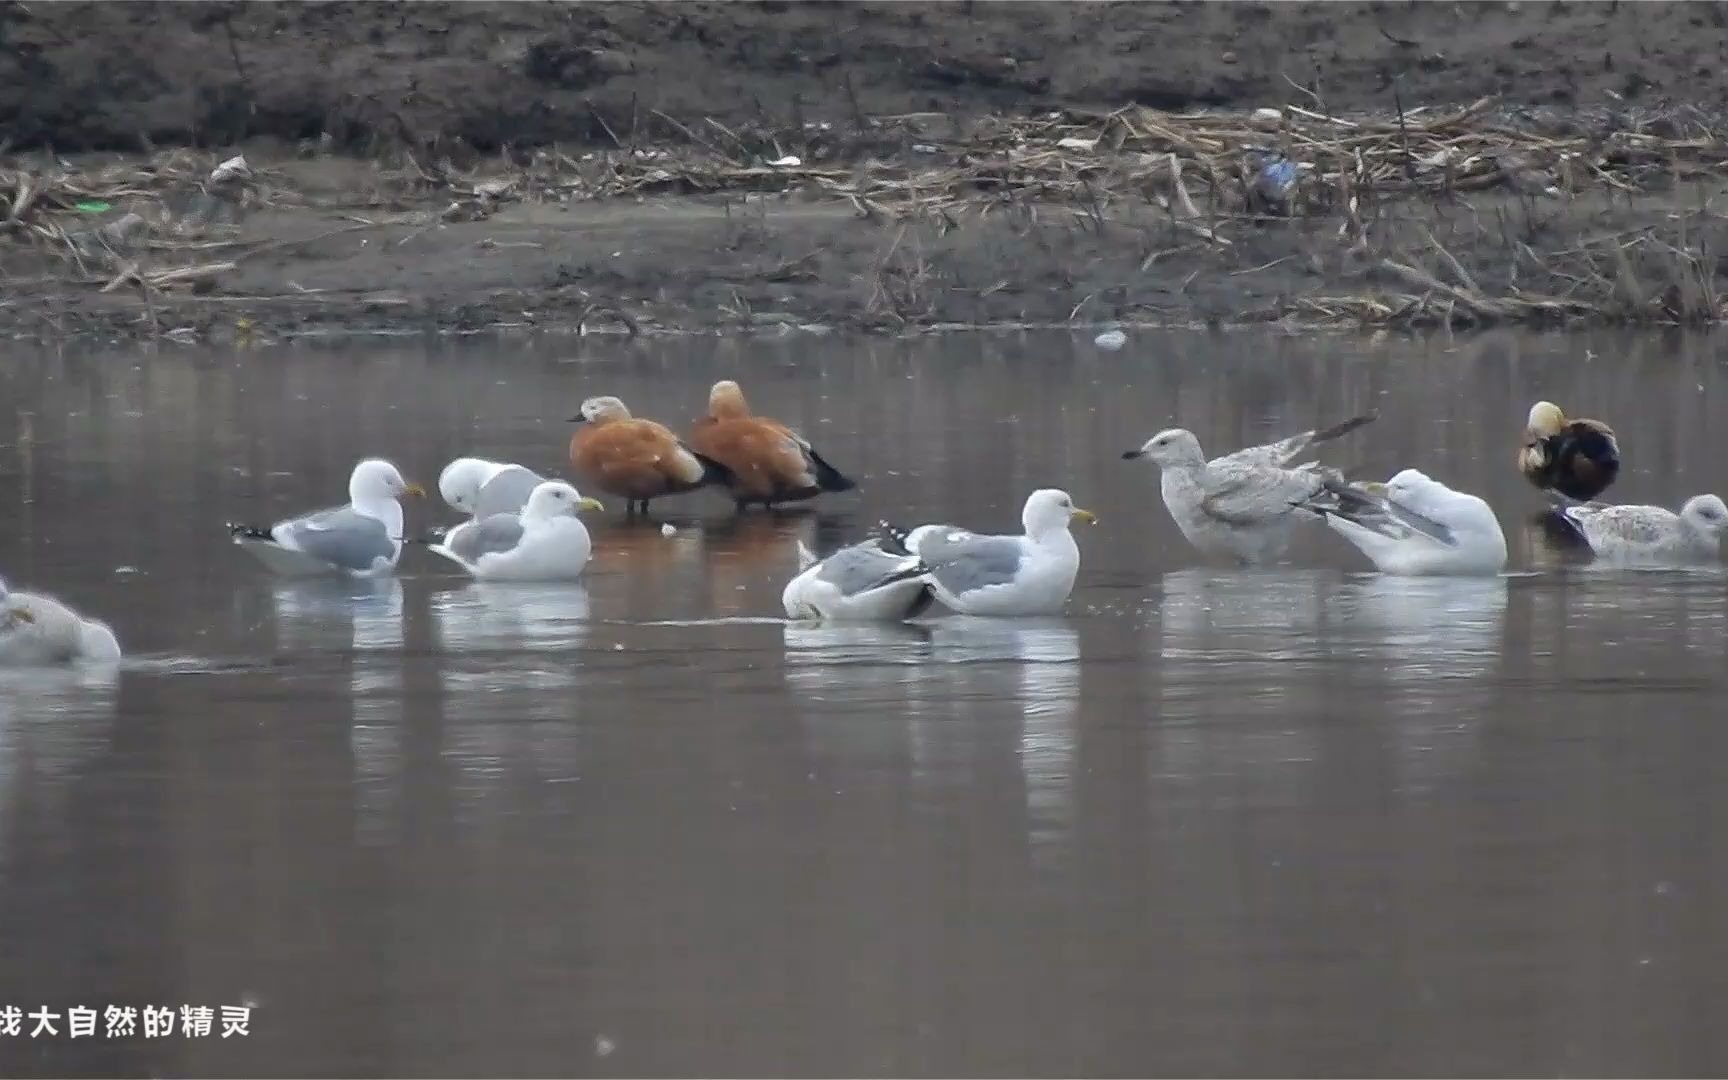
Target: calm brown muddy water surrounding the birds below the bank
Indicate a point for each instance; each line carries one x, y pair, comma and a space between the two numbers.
1304, 822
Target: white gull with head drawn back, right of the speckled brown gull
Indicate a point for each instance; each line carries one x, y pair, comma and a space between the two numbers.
1416, 526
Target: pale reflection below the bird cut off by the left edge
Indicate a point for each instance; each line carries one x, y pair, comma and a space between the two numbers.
53, 723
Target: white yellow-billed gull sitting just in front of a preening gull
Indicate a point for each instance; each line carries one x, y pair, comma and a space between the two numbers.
545, 542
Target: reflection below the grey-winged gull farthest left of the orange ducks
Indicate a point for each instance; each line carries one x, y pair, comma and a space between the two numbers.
360, 621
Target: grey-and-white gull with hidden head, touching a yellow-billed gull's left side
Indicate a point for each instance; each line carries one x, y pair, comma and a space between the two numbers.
858, 583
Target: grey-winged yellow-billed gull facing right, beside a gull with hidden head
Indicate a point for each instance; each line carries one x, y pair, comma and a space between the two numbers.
1029, 575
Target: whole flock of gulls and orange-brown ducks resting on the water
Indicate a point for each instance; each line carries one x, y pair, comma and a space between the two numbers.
1242, 507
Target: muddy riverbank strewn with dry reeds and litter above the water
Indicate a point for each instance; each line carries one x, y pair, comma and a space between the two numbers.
721, 168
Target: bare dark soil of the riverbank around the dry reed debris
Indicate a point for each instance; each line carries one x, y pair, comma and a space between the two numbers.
315, 91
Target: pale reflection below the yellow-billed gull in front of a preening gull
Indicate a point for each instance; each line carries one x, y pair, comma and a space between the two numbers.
511, 678
